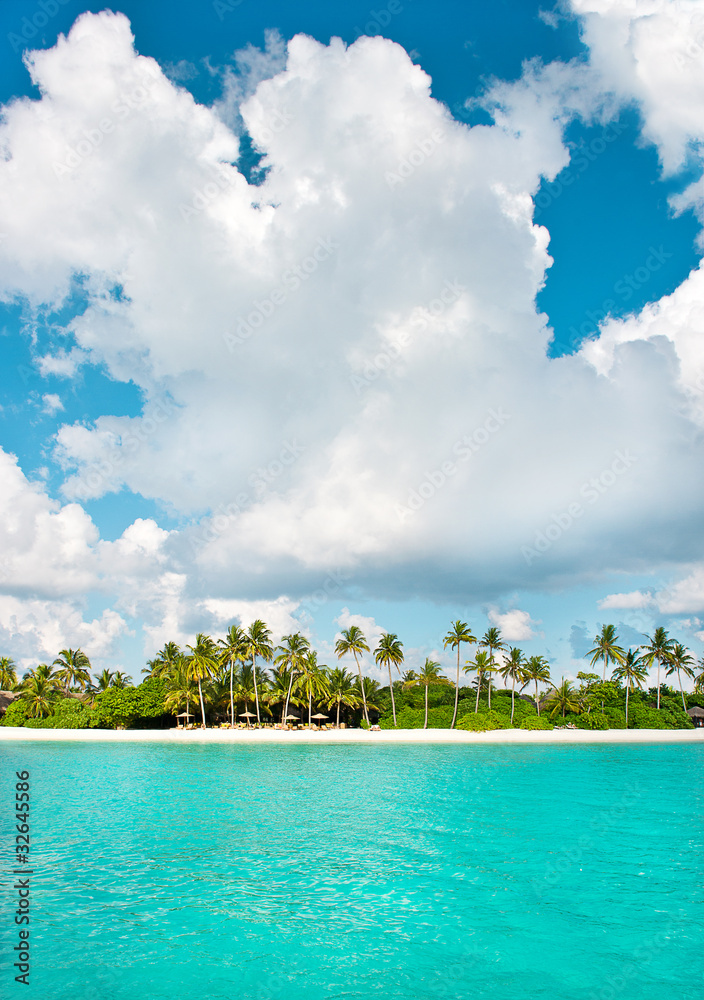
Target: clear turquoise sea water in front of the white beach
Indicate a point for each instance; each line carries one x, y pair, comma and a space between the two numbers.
380, 872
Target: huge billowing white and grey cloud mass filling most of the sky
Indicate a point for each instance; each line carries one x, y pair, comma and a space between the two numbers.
345, 377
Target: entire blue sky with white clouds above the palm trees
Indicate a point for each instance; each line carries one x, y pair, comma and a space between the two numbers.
481, 397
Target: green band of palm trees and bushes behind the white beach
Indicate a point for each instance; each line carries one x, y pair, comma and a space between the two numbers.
243, 680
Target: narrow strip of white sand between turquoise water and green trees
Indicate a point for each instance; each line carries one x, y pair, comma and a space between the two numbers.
345, 736
